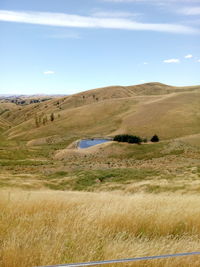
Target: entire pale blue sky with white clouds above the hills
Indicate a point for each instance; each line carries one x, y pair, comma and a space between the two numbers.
68, 46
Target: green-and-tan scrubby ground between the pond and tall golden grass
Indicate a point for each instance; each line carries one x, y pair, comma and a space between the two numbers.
163, 167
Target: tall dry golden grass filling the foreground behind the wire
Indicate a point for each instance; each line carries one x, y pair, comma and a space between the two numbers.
41, 228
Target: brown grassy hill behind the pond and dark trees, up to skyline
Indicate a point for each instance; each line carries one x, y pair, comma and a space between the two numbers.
142, 109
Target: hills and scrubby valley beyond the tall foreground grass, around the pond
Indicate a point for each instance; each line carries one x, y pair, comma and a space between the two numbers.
36, 155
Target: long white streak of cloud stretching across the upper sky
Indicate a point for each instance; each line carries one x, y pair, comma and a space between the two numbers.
66, 20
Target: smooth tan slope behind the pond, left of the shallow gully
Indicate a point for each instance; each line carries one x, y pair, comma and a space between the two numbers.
97, 118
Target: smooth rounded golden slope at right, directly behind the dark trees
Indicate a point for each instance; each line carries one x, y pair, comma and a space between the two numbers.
173, 116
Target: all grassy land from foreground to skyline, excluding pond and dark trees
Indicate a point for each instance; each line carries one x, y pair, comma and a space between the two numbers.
61, 204
